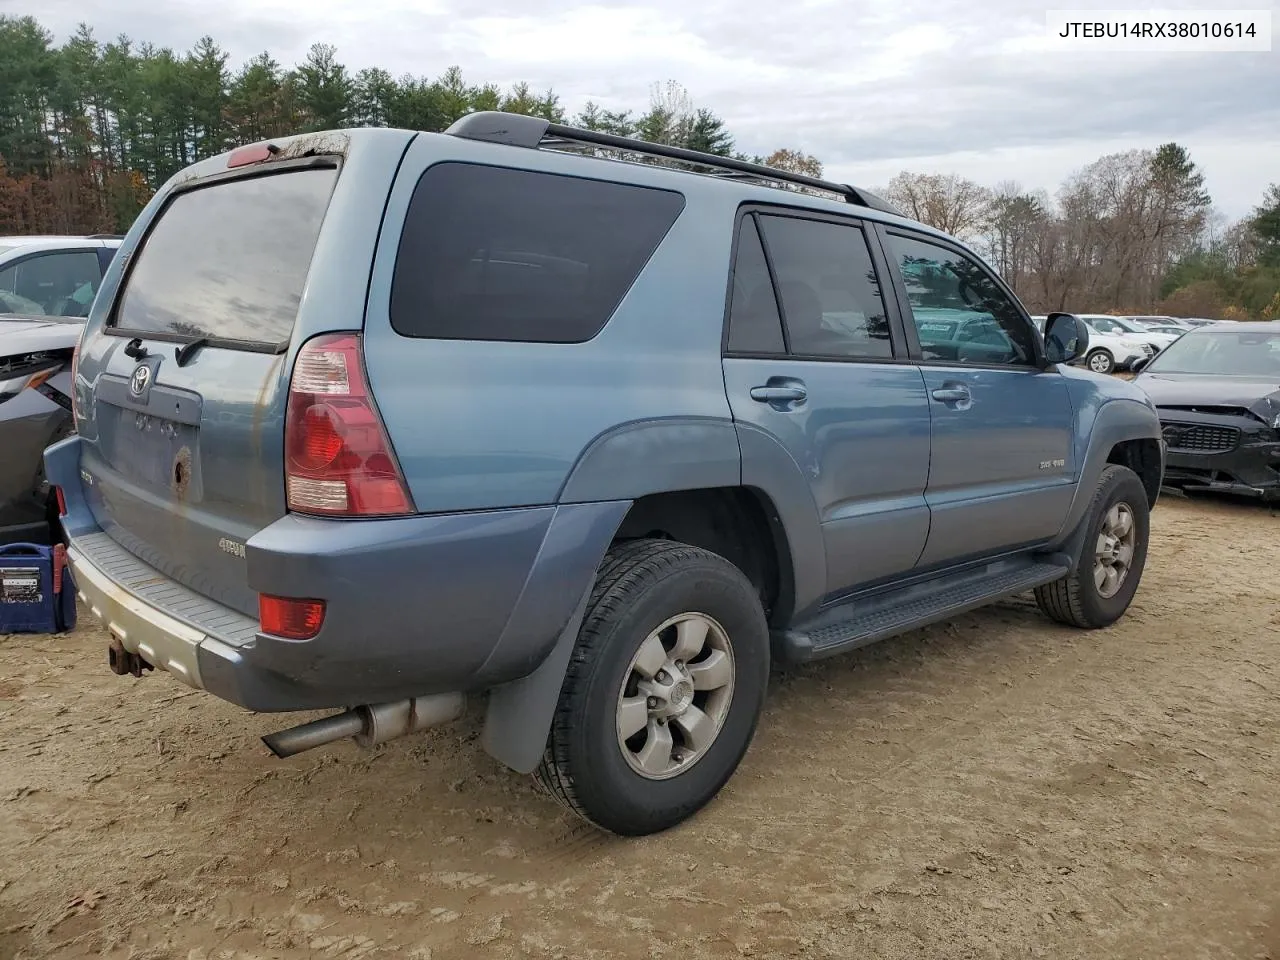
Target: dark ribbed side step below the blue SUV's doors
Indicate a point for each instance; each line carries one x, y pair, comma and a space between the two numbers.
865, 620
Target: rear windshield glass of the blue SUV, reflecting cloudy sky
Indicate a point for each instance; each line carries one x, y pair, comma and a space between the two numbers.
228, 262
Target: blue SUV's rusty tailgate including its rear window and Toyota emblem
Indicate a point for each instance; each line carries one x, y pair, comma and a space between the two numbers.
184, 424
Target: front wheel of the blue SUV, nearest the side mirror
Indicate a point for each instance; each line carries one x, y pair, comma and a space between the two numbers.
1078, 600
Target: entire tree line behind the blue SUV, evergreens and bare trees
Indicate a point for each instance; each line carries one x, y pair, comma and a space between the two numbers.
89, 130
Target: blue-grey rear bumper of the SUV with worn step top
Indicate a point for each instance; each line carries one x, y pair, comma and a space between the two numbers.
415, 606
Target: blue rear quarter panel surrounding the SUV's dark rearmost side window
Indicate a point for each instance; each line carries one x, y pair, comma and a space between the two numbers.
492, 424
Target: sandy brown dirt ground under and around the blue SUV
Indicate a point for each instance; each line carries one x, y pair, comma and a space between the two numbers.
991, 788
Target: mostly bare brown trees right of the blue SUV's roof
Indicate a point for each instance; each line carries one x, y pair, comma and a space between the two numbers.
1130, 234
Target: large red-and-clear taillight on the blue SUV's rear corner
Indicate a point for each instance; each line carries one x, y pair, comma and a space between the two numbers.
337, 458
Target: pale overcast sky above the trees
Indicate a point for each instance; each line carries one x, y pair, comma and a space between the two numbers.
947, 86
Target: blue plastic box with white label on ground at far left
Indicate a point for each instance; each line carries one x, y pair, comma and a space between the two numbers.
38, 595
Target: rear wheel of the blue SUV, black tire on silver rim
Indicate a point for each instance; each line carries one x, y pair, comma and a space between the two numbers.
643, 586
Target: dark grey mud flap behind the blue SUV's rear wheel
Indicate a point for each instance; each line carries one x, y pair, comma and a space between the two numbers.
520, 714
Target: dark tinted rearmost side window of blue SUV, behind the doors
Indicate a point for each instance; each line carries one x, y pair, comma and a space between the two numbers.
492, 254
